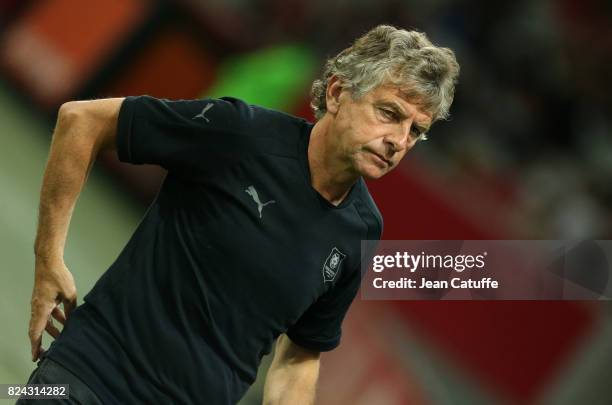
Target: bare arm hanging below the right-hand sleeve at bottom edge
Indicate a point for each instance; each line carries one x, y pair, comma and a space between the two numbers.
292, 377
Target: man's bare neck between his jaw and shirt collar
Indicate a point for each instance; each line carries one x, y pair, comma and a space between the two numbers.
329, 174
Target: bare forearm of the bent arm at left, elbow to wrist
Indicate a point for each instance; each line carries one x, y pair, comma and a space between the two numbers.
71, 156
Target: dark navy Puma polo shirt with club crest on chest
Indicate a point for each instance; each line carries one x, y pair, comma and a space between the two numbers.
236, 249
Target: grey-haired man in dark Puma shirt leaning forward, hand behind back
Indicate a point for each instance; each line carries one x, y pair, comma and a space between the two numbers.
254, 235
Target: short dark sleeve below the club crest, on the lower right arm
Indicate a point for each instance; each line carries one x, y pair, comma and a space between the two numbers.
320, 327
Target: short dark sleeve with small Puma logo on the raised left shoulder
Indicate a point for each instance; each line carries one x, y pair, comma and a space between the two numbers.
181, 134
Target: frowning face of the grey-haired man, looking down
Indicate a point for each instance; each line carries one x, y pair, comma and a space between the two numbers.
374, 133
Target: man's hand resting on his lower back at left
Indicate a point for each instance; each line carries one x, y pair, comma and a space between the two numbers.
53, 285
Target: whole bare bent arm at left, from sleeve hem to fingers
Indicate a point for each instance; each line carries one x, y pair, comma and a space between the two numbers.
83, 129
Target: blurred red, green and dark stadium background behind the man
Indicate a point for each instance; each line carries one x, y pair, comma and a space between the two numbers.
527, 155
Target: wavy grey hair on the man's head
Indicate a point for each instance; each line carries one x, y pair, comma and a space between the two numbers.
387, 55
